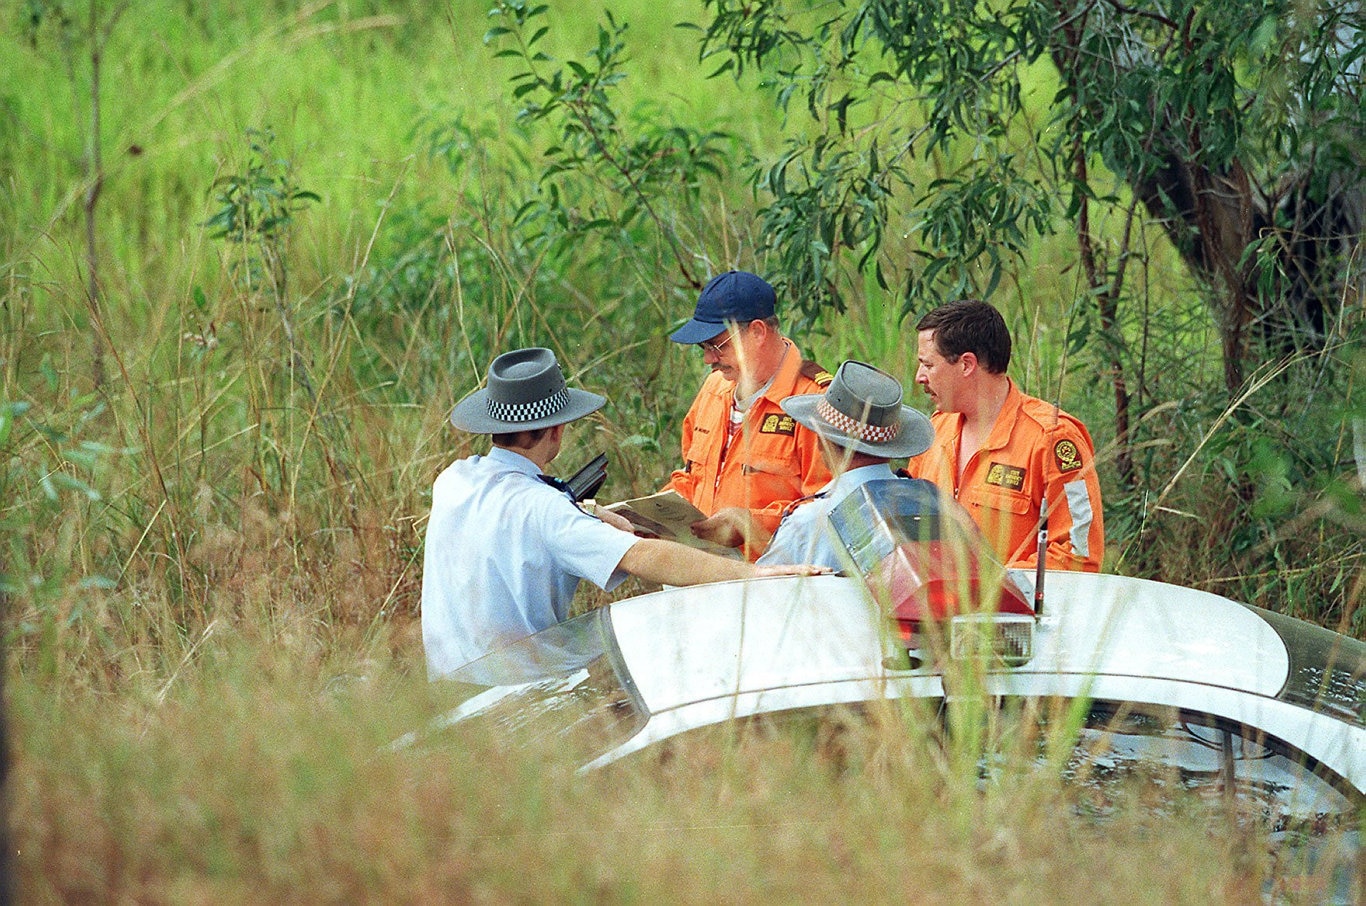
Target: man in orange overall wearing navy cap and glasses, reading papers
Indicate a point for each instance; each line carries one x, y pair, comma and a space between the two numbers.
744, 458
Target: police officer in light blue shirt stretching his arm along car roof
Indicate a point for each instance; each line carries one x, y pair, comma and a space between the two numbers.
506, 546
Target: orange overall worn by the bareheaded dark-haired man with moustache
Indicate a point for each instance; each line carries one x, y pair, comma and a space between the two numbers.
1033, 450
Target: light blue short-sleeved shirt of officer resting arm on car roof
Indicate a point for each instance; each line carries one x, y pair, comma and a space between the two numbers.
503, 557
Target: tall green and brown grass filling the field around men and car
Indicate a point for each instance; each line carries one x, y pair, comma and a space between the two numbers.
212, 555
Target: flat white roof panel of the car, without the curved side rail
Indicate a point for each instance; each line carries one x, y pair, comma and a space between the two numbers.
696, 643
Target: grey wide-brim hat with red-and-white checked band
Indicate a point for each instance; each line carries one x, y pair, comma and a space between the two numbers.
863, 411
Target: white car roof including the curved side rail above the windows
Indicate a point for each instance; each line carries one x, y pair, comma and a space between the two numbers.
706, 654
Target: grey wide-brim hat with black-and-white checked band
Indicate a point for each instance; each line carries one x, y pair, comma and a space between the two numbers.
527, 392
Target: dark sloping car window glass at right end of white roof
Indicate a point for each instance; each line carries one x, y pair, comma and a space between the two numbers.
1327, 669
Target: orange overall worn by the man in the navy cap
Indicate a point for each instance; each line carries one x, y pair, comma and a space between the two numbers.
770, 464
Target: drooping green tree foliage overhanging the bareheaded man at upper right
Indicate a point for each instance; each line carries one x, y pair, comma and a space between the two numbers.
1236, 125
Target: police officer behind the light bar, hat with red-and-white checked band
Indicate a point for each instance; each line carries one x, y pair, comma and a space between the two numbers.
863, 426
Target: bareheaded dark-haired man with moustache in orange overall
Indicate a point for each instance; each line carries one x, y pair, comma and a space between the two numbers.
1002, 453
